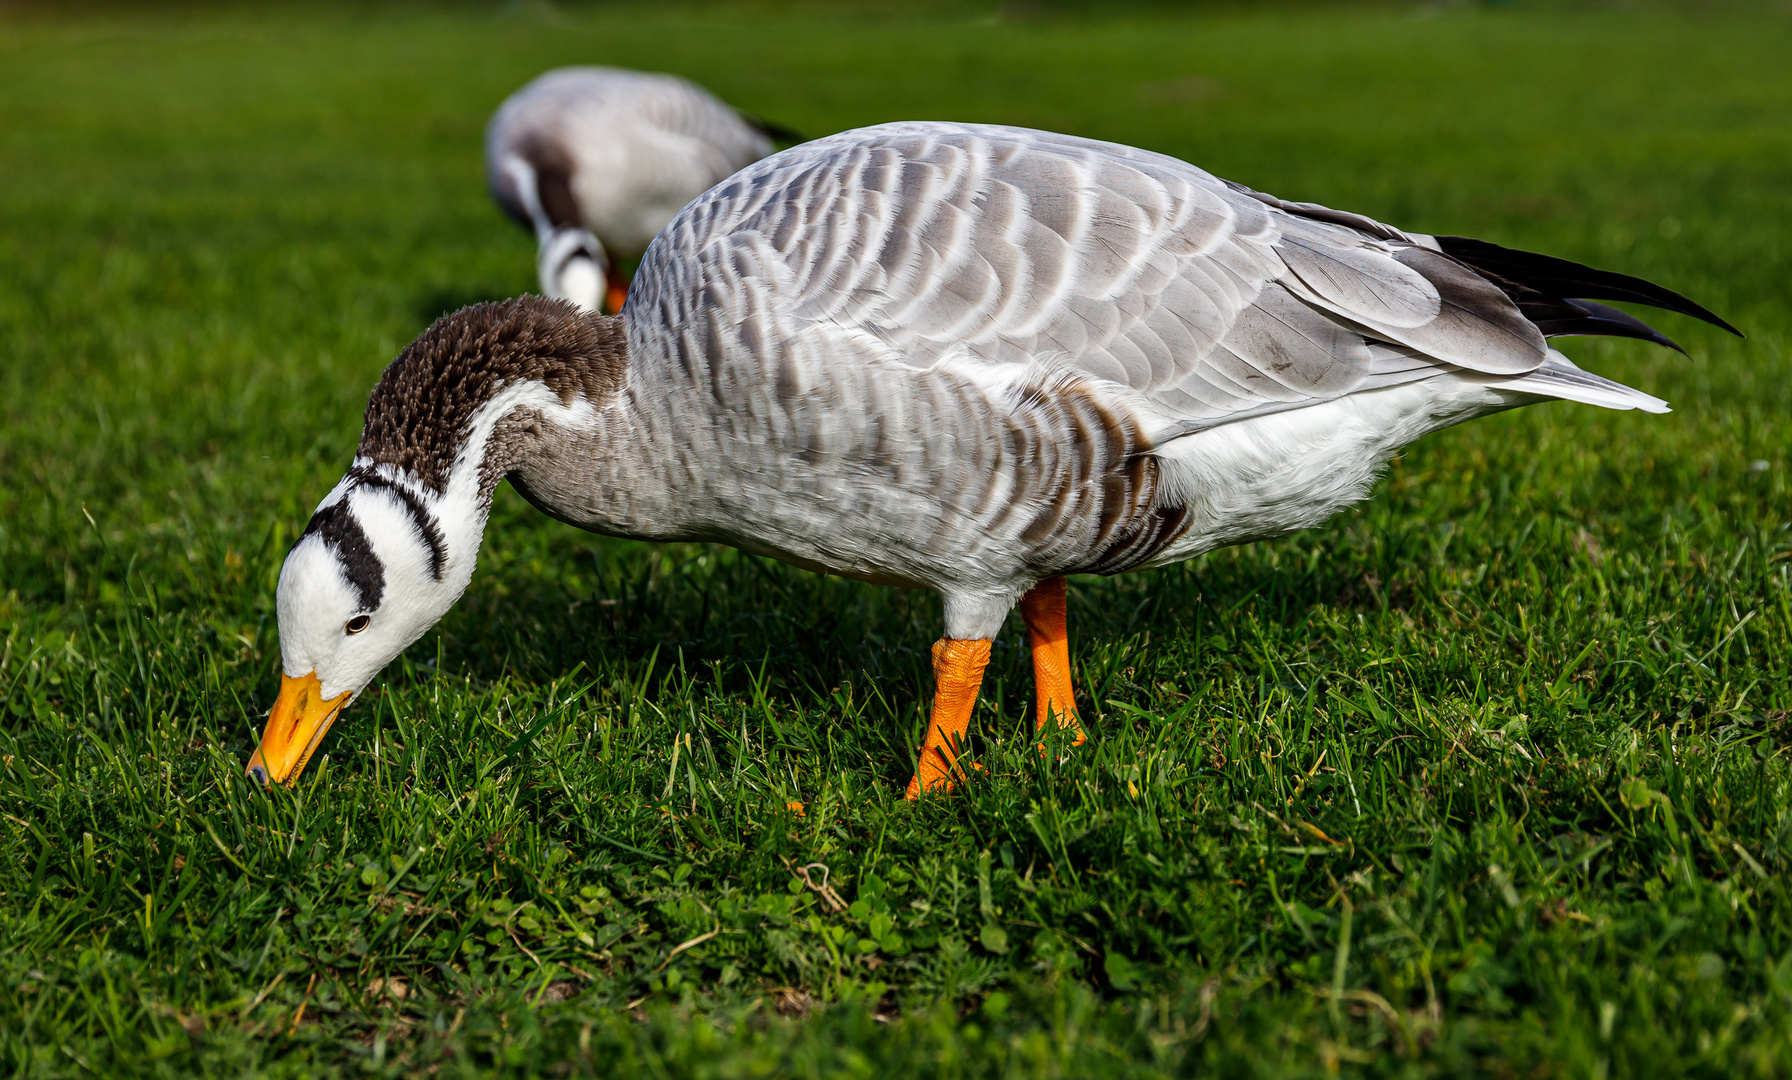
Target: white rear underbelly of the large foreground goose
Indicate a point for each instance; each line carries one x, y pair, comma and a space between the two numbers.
1293, 470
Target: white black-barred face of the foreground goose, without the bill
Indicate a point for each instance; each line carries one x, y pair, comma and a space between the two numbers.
361, 588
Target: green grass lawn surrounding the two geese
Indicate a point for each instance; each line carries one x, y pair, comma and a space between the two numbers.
1486, 778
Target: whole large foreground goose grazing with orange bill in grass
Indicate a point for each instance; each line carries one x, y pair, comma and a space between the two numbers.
936, 356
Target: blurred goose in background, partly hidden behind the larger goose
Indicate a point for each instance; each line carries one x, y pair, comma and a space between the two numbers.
598, 162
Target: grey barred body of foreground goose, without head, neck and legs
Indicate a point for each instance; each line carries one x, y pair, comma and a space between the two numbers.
972, 357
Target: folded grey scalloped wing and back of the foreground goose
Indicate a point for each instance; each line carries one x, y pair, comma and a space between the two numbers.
990, 246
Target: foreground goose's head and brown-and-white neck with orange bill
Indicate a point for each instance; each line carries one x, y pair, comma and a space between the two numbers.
393, 545
